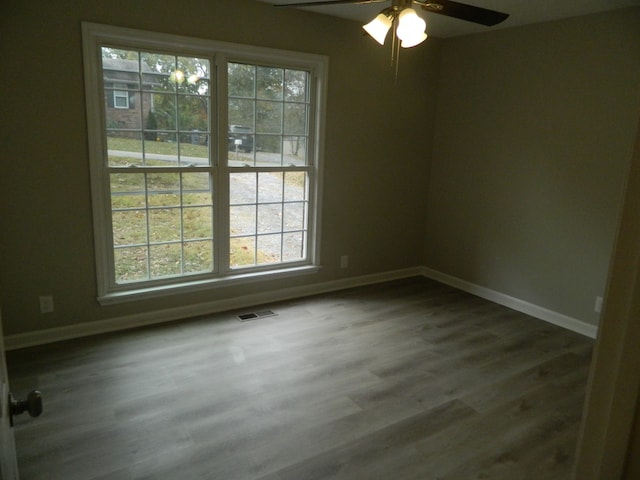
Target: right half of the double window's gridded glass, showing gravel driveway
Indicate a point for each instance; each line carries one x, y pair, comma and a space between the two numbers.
268, 205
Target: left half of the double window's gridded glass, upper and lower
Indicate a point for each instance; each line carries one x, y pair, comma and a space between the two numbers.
162, 222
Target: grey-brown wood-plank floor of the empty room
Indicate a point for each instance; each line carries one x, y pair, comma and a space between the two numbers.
404, 380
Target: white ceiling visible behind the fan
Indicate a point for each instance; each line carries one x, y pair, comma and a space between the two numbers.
521, 12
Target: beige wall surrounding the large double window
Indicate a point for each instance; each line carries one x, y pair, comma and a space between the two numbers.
375, 165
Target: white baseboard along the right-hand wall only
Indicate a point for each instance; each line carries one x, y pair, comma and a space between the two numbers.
536, 311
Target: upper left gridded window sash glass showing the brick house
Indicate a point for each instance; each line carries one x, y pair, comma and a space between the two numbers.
169, 124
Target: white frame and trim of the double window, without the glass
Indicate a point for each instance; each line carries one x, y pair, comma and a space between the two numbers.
94, 37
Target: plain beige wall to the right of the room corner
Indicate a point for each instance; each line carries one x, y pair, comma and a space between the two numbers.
535, 129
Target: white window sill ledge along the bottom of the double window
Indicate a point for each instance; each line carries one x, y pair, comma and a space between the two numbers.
189, 287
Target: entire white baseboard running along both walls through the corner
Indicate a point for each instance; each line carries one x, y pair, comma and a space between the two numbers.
41, 337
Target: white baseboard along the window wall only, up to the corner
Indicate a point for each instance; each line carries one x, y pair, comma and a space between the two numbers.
41, 337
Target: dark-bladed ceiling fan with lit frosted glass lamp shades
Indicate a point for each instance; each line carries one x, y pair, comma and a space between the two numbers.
410, 28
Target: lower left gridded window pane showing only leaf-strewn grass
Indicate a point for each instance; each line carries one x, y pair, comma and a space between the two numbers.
162, 224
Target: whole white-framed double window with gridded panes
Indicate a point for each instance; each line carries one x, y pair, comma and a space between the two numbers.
204, 161
